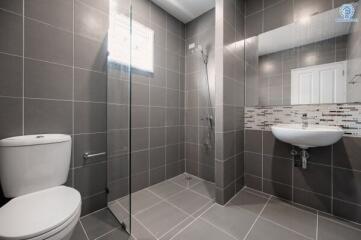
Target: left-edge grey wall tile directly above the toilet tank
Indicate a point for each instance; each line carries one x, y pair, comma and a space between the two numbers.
11, 117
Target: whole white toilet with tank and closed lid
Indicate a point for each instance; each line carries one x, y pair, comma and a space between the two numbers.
32, 171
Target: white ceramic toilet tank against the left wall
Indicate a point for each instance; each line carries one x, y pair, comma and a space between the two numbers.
34, 162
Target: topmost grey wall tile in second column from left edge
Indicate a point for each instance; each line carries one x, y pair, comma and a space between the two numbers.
58, 13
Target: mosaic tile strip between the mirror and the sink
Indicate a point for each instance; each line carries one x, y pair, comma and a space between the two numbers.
347, 116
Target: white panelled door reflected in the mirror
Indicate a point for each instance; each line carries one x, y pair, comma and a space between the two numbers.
324, 83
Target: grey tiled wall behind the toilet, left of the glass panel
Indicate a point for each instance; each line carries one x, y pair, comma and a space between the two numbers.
53, 80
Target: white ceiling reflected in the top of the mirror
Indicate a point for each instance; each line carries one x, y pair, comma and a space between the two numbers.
318, 28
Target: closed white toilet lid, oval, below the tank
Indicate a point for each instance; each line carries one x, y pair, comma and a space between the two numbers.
37, 213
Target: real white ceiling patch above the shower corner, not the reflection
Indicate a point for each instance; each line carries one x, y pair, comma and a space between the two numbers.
185, 10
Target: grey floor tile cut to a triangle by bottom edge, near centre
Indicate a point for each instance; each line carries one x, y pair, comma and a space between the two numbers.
202, 230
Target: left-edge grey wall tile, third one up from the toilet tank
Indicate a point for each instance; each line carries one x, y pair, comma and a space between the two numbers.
11, 26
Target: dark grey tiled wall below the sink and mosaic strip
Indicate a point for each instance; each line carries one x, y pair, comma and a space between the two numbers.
331, 183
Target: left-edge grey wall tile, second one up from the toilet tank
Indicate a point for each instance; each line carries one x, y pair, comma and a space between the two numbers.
11, 76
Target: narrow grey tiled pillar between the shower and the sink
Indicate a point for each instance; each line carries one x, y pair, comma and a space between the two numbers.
229, 98
